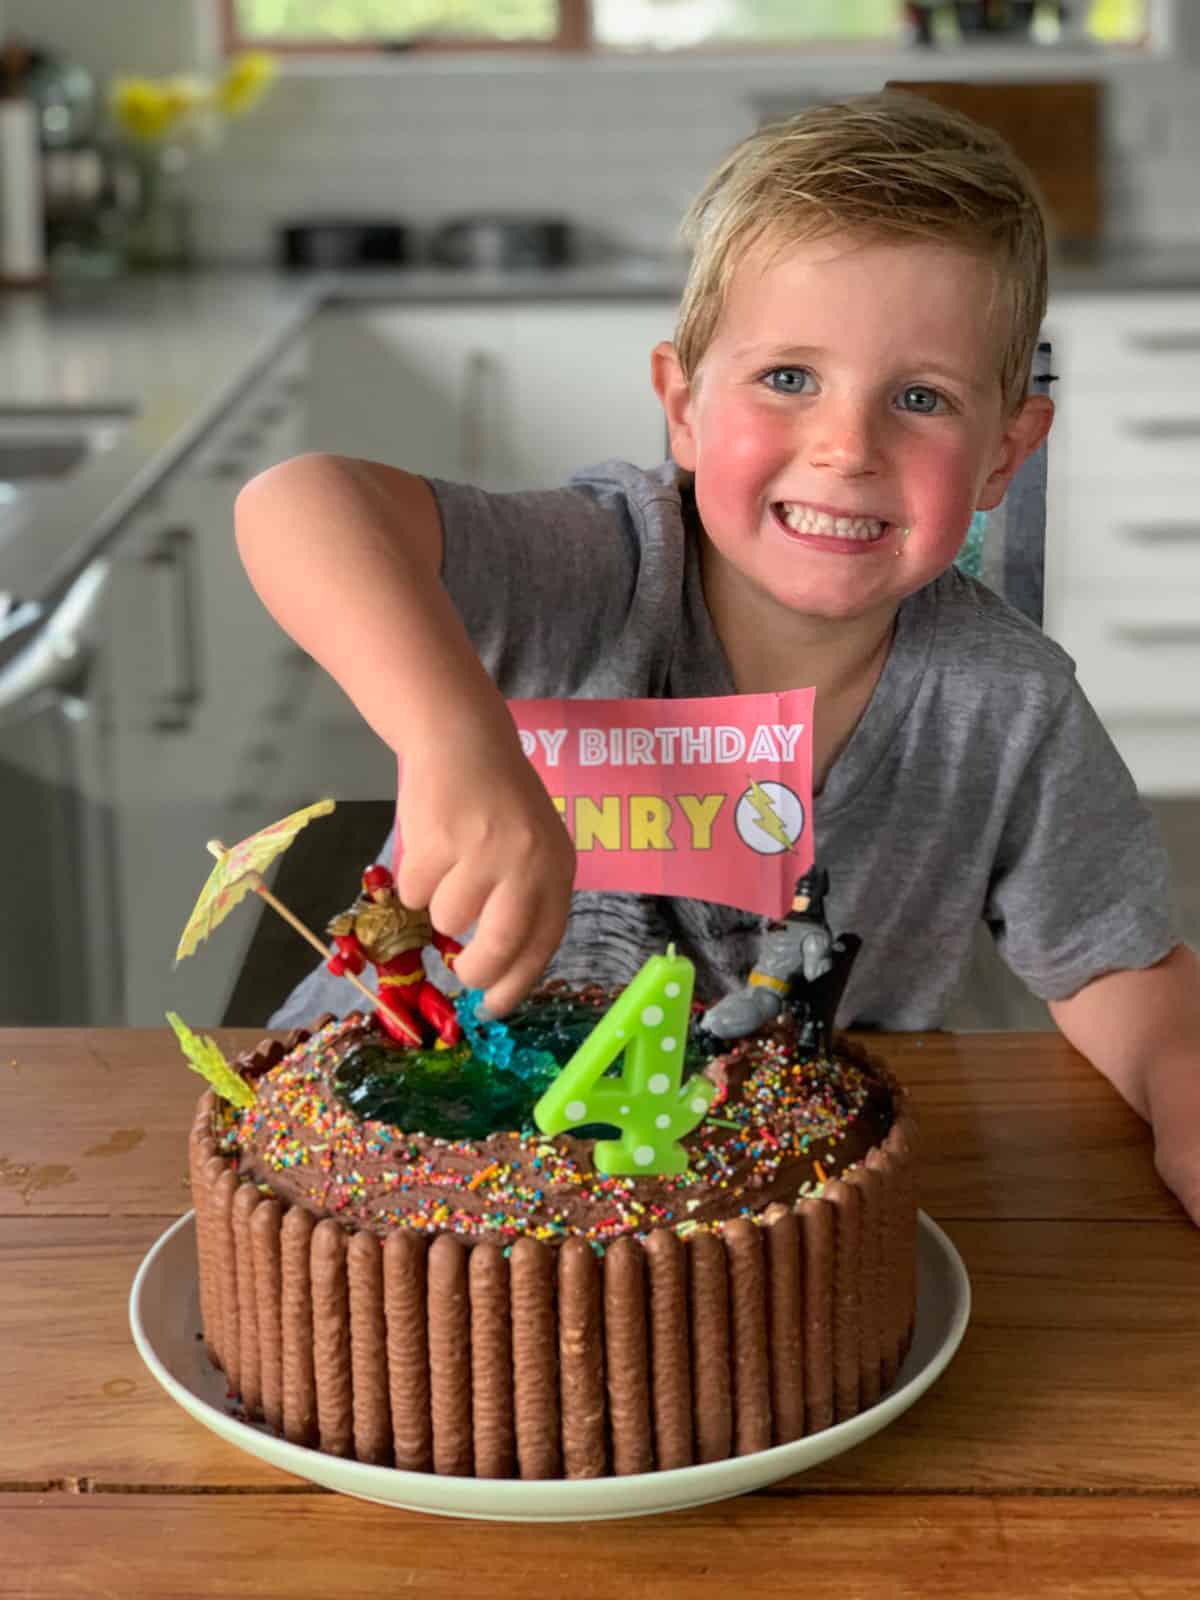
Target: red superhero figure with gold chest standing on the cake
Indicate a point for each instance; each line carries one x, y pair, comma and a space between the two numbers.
382, 930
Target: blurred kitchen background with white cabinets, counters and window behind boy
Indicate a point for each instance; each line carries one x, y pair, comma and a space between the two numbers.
444, 234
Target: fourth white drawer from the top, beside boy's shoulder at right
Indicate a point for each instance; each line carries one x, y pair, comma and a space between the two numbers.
1137, 646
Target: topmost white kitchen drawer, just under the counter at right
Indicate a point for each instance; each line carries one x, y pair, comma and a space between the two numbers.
1145, 340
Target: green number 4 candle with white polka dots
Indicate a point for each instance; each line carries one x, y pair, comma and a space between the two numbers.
654, 1110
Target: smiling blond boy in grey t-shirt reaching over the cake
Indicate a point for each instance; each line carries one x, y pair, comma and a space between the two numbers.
847, 386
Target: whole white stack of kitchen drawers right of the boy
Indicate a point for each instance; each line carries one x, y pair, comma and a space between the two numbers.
1124, 526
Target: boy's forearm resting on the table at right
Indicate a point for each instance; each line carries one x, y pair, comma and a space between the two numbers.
1142, 1028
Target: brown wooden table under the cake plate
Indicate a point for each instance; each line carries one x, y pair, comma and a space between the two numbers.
1060, 1455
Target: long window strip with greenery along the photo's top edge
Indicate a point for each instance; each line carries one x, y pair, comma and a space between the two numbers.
666, 25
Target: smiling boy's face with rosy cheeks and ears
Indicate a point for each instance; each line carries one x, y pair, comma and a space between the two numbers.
852, 391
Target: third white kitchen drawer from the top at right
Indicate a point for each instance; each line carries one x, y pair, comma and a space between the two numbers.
1132, 534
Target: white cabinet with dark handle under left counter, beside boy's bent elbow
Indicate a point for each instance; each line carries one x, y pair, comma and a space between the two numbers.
210, 705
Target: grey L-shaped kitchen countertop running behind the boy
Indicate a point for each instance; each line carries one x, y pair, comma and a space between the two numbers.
172, 354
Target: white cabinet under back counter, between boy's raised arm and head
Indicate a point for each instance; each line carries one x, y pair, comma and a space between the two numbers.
506, 396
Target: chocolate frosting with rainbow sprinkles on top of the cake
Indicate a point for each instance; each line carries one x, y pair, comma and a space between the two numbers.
782, 1126
